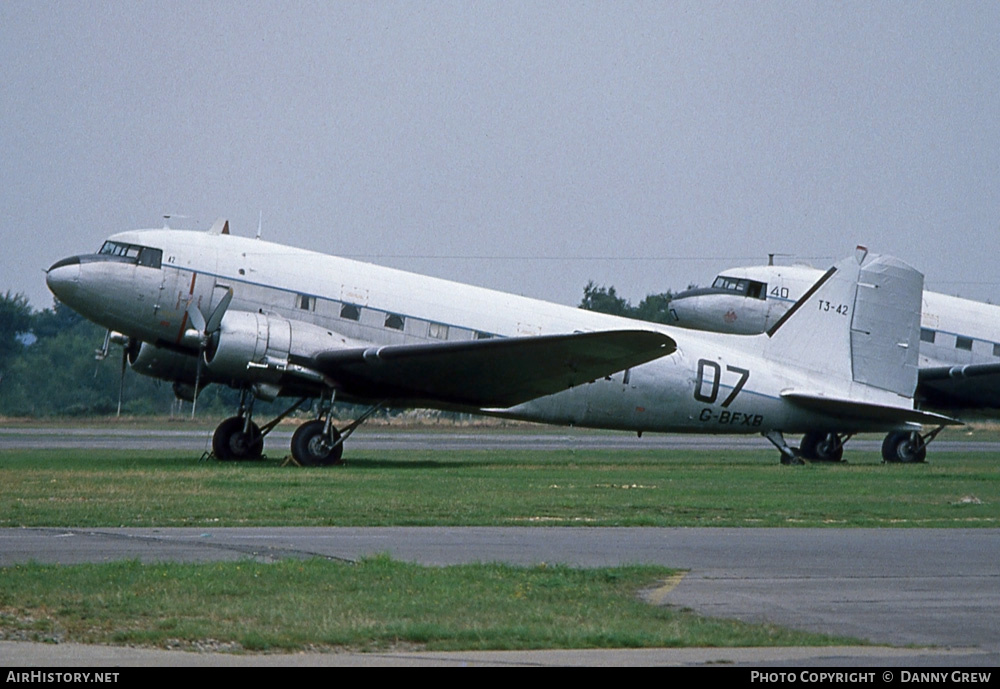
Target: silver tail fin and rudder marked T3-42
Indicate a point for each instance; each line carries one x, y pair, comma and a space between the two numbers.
860, 323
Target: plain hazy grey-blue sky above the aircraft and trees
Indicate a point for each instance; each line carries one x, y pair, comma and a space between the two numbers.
524, 146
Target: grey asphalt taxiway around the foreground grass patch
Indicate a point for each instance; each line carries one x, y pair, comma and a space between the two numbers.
935, 588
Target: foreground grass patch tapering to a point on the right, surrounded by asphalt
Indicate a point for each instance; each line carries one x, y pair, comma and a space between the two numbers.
375, 604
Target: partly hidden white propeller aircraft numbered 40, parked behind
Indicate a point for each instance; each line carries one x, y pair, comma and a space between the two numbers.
959, 362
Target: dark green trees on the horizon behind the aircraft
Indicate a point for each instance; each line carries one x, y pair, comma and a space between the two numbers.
48, 364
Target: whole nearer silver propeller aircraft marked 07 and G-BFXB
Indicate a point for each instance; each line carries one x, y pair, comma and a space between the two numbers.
209, 307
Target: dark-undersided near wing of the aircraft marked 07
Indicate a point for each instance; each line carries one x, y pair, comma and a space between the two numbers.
500, 372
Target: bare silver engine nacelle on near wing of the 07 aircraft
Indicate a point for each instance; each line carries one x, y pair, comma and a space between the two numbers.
255, 347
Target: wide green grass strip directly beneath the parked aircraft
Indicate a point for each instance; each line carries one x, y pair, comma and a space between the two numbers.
497, 488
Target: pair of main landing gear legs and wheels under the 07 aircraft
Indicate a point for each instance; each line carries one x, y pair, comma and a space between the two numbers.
314, 443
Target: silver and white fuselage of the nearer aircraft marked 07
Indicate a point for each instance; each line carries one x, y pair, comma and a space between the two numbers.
295, 303
